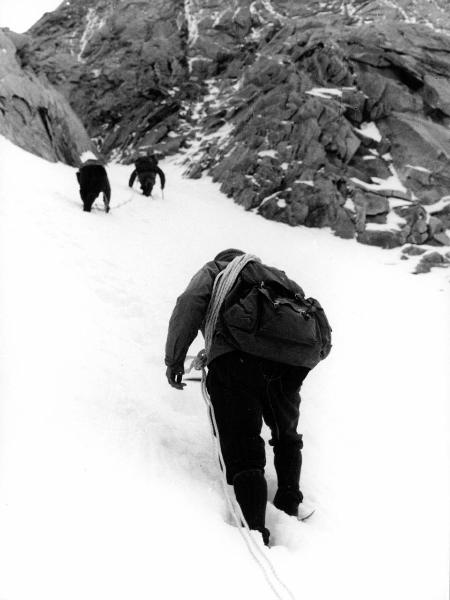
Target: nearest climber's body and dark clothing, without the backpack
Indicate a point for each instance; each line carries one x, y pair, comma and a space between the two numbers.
245, 390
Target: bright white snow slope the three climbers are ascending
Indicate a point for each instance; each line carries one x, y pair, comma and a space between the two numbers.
108, 485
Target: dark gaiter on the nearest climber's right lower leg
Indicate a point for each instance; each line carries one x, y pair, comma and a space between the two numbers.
288, 464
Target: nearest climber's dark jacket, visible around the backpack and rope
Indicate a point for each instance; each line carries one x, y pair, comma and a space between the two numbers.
188, 316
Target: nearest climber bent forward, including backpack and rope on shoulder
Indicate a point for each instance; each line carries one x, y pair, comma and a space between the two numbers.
262, 337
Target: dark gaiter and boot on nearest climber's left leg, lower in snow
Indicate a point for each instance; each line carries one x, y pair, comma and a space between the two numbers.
250, 488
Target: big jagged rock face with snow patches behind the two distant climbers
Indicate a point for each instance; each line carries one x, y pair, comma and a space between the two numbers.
320, 113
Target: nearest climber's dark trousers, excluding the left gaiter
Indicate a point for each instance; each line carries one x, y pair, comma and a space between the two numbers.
244, 391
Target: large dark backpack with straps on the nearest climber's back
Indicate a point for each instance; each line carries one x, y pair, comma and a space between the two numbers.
268, 315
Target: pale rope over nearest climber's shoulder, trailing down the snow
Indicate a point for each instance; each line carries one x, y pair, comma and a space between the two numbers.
222, 285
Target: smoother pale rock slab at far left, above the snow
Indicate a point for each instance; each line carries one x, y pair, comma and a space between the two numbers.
32, 114
